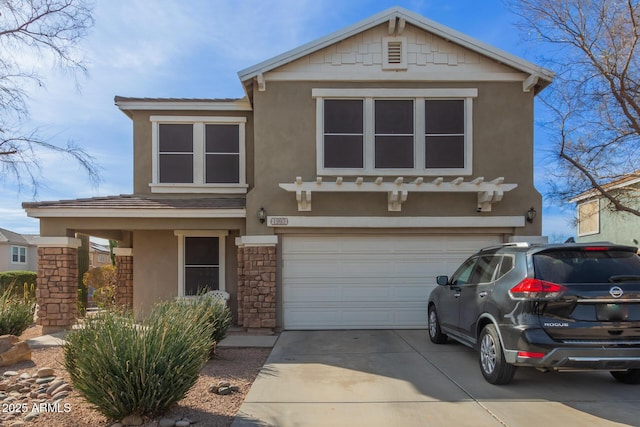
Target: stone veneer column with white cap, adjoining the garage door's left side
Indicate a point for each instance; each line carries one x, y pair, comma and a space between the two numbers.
257, 262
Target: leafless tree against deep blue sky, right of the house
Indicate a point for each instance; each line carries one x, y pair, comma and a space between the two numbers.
595, 100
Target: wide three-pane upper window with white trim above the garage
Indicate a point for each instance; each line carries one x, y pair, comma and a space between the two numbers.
394, 131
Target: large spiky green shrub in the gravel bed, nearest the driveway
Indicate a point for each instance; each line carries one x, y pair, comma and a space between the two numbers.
122, 368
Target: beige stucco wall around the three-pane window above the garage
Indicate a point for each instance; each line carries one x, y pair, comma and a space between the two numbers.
285, 147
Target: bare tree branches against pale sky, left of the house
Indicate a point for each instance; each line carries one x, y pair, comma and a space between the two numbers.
42, 29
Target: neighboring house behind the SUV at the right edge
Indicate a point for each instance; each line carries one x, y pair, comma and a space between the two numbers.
597, 221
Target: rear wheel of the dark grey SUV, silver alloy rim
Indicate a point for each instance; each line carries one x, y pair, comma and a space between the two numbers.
492, 363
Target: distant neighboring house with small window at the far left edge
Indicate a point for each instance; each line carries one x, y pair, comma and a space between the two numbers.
17, 251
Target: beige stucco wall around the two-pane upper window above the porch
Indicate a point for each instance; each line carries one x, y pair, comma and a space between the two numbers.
142, 152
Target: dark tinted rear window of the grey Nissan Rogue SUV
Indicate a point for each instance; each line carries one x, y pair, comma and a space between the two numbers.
585, 266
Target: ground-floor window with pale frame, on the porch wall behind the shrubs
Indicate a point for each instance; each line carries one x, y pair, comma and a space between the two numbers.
201, 262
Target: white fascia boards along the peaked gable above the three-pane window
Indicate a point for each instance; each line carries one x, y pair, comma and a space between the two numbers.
413, 18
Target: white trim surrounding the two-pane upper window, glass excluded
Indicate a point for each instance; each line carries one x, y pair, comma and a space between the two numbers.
198, 186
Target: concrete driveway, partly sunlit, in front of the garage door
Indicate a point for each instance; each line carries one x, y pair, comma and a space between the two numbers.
399, 378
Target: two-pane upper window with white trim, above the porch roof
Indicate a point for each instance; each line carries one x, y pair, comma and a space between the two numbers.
198, 154
